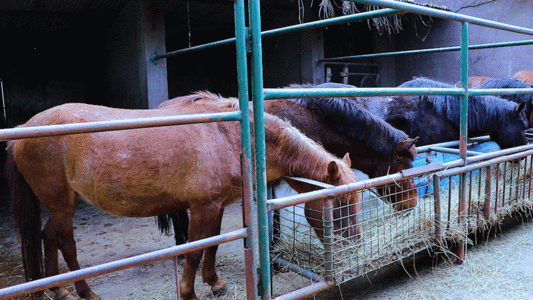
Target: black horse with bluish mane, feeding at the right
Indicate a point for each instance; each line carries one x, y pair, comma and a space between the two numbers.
435, 118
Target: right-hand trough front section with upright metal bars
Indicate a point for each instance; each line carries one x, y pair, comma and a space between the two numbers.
490, 194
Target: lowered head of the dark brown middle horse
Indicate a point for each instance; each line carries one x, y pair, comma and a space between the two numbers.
402, 194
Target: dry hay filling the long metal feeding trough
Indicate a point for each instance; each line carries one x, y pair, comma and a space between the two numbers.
390, 236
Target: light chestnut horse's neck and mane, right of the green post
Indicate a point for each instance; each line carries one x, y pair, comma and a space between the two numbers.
298, 152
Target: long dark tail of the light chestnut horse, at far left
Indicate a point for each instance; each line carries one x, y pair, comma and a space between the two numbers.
26, 210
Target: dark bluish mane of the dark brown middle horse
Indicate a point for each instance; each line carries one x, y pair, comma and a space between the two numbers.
355, 121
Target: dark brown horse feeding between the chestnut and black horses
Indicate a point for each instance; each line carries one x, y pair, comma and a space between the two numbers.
341, 126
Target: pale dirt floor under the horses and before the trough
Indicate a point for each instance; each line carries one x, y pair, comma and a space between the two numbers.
495, 268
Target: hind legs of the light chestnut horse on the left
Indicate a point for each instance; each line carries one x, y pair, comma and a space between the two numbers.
57, 235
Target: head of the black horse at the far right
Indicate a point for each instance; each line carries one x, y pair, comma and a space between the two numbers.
511, 133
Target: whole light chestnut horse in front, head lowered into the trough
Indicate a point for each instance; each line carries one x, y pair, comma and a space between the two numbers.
152, 172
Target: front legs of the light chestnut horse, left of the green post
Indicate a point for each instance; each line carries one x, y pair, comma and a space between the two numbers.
204, 221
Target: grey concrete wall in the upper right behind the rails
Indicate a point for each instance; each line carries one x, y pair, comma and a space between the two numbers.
498, 63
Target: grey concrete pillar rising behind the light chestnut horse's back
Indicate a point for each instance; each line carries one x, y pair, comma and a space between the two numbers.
132, 80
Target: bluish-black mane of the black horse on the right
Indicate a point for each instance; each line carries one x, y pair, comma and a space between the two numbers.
482, 110
